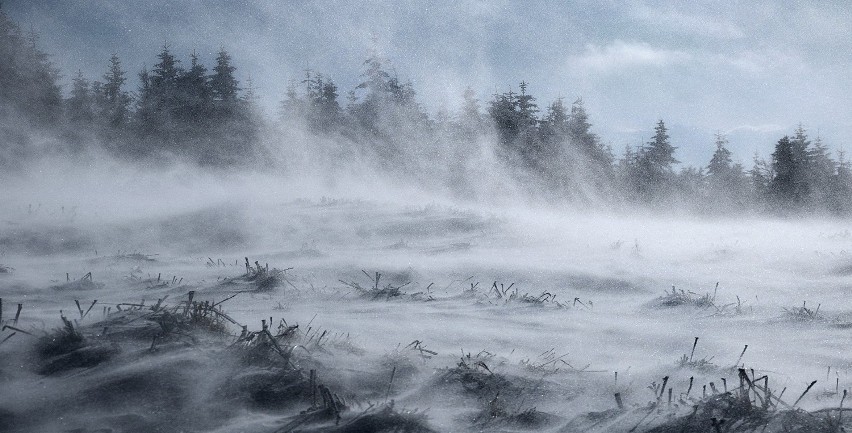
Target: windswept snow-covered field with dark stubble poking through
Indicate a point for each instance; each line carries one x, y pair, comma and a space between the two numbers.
413, 314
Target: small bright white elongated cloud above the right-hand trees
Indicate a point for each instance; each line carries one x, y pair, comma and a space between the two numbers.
619, 55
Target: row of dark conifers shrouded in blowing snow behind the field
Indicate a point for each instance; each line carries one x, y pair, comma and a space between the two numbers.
186, 111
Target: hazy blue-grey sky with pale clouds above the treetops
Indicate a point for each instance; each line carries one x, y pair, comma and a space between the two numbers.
750, 69
